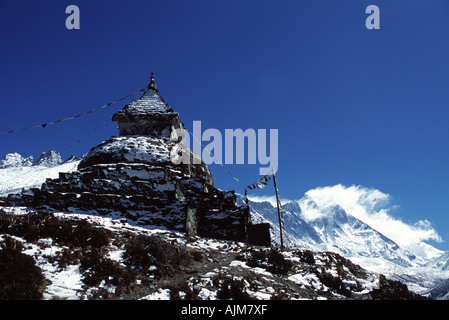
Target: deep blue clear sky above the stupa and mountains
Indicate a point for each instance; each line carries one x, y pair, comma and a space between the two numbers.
352, 106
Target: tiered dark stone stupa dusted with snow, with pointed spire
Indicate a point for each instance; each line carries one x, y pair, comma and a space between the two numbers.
131, 176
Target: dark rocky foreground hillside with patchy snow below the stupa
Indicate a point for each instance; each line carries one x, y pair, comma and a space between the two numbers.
84, 256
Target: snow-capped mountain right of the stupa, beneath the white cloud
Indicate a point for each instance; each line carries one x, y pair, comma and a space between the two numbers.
331, 228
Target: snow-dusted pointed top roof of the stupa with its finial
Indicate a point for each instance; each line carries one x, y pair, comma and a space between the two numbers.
151, 101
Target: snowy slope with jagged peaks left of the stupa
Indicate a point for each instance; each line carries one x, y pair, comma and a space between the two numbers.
17, 172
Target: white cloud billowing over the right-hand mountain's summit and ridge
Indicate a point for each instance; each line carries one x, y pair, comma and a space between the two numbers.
374, 208
